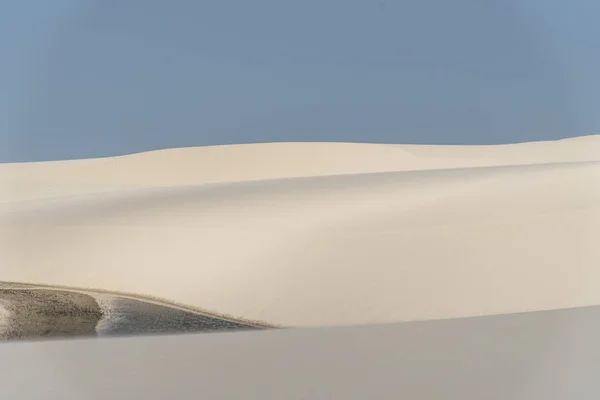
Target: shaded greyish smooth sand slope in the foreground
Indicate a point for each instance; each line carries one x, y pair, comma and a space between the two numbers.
546, 355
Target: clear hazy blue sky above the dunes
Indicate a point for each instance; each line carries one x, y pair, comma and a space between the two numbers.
93, 78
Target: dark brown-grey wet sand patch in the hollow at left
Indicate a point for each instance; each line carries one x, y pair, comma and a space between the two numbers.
33, 313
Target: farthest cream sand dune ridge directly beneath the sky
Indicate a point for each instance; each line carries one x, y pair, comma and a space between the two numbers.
231, 163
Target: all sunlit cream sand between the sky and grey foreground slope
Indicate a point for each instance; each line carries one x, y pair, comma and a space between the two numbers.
419, 239
